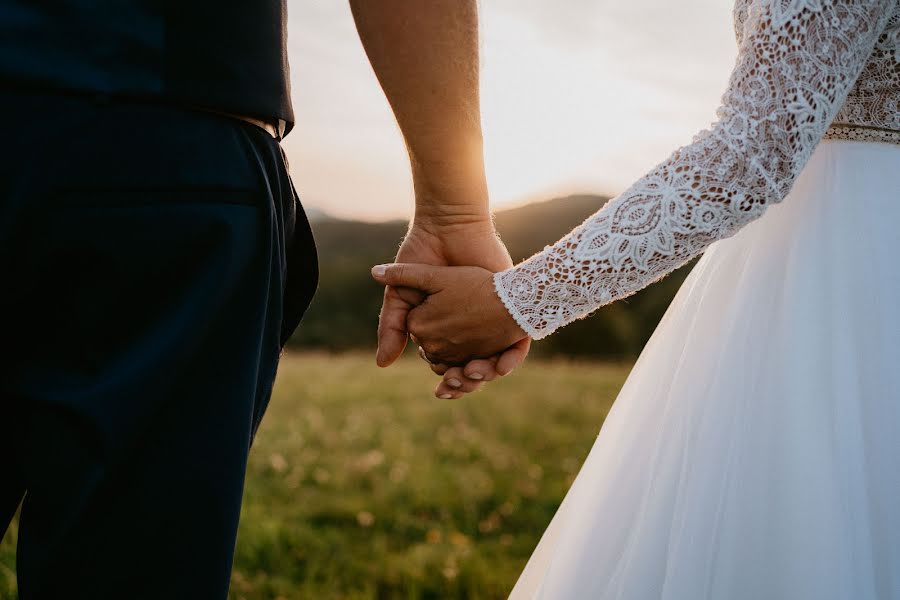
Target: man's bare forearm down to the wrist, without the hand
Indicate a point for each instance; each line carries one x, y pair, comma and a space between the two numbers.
425, 55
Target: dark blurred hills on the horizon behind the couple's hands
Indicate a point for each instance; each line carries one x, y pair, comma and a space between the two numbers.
345, 311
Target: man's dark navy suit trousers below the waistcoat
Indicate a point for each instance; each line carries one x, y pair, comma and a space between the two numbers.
153, 262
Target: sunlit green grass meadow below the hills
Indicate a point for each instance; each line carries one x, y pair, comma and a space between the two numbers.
363, 485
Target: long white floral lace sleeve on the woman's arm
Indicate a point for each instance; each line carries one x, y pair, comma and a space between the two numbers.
797, 61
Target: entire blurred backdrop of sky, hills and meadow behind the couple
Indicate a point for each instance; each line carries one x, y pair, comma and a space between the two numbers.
361, 484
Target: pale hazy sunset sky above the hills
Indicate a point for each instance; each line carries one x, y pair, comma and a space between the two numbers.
581, 96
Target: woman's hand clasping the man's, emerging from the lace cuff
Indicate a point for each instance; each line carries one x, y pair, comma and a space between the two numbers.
461, 317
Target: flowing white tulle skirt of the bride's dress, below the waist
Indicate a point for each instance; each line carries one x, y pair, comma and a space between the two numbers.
754, 451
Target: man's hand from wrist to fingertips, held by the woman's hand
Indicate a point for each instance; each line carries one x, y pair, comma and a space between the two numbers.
461, 243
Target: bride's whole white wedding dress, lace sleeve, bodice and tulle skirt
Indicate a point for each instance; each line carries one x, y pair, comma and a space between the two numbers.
754, 451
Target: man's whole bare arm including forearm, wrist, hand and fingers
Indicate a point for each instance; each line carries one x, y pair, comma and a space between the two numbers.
425, 55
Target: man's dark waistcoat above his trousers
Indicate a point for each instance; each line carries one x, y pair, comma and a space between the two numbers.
224, 55
